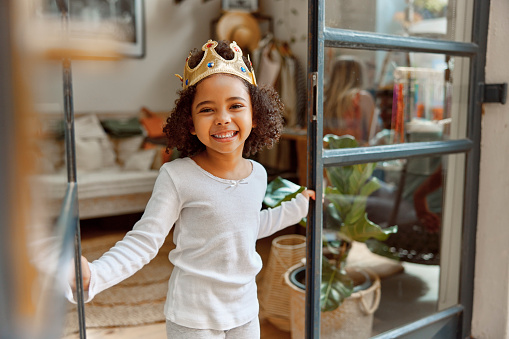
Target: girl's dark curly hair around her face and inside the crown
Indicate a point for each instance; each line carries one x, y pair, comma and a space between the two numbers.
266, 105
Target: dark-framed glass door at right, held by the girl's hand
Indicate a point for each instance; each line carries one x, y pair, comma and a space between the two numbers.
394, 89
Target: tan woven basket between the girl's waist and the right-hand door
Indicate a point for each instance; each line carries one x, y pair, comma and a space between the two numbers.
286, 251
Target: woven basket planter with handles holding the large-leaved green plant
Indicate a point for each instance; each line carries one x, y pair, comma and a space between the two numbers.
353, 319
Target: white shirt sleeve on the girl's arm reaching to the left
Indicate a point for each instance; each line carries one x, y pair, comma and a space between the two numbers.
141, 244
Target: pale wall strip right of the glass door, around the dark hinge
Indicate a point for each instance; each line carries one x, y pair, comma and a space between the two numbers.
491, 291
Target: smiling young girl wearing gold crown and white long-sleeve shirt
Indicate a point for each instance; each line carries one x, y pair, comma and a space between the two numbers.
213, 197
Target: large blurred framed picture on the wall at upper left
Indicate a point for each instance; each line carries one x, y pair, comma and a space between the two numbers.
120, 22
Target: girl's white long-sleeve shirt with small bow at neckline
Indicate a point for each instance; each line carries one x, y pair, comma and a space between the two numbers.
217, 222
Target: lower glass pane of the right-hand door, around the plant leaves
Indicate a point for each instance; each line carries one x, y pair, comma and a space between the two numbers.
410, 195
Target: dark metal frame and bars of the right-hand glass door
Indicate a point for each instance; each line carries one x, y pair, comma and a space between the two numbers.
454, 321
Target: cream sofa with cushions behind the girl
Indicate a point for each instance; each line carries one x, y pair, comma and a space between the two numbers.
117, 160
